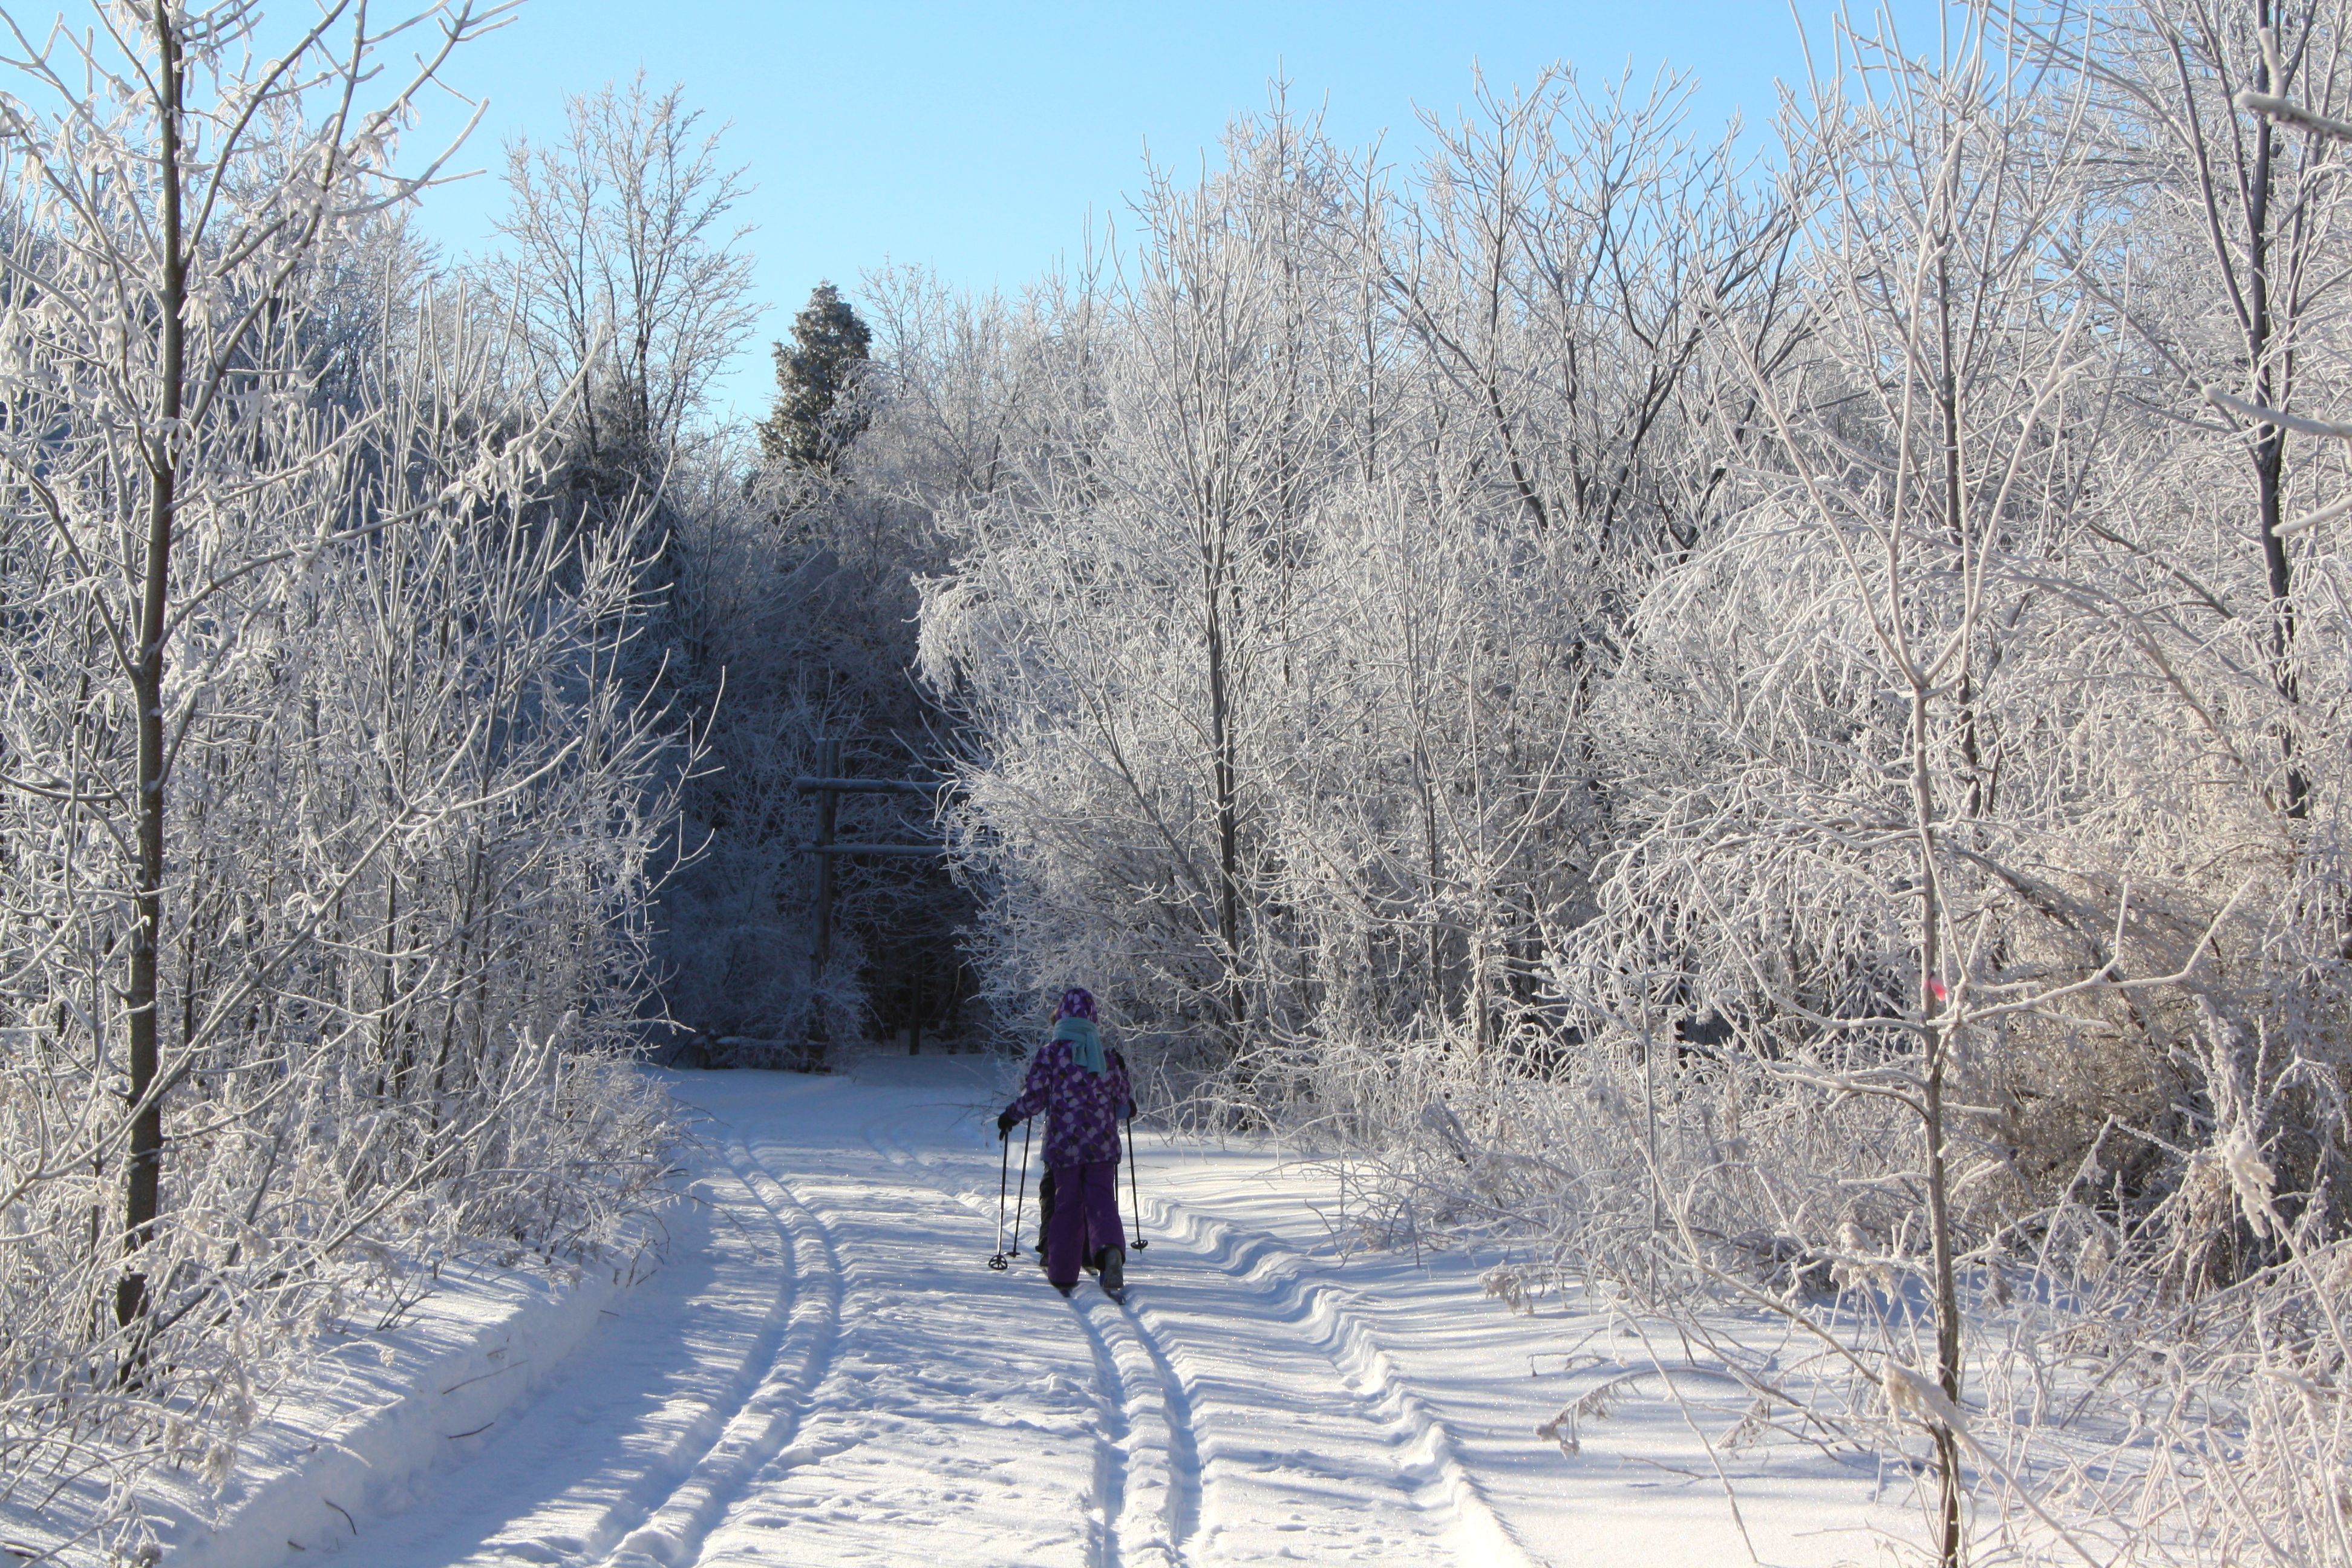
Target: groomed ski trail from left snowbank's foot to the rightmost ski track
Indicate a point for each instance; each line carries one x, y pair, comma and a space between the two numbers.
827, 1372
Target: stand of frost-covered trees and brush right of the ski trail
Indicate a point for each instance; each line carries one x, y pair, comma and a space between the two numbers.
1763, 732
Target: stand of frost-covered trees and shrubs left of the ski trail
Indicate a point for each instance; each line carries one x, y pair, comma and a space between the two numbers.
323, 815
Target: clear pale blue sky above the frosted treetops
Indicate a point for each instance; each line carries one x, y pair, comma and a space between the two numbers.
977, 138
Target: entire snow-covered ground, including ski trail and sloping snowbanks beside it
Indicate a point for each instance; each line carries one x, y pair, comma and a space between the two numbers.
824, 1372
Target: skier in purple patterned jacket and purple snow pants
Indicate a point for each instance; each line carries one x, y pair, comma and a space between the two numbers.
1083, 1090
